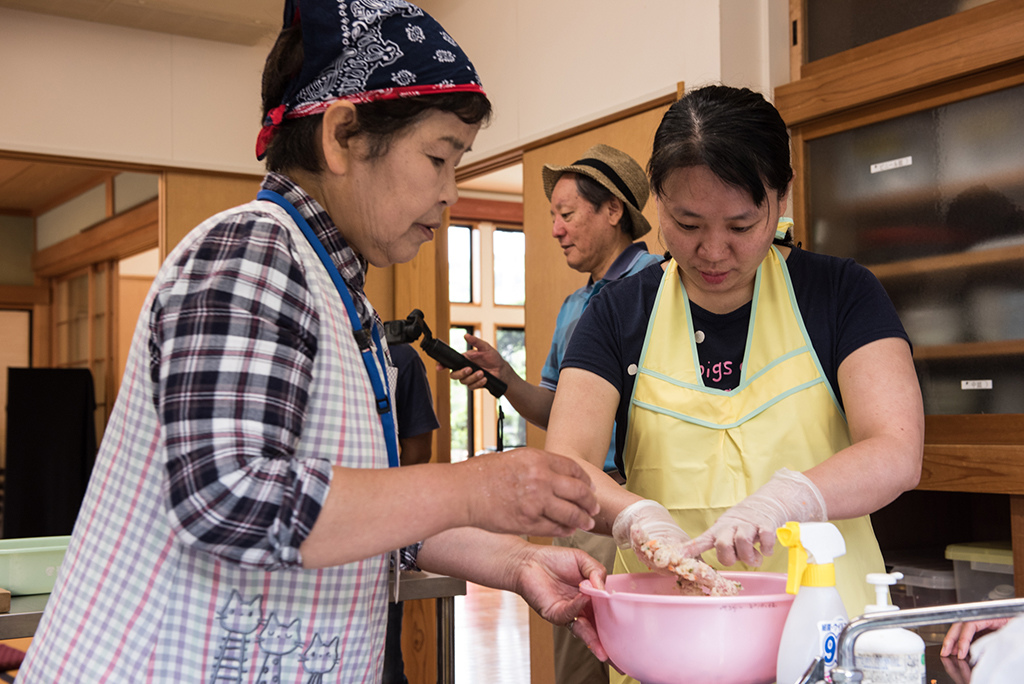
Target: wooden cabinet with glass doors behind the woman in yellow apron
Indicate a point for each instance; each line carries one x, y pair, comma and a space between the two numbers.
908, 158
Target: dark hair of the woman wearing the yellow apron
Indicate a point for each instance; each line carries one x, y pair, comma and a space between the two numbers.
736, 133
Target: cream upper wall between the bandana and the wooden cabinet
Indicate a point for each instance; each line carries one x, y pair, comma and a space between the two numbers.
549, 65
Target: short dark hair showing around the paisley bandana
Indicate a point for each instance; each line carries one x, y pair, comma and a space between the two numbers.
296, 144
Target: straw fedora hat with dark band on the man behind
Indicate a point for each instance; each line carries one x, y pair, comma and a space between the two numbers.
617, 172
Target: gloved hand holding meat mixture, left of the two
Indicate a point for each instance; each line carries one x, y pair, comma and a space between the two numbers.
646, 522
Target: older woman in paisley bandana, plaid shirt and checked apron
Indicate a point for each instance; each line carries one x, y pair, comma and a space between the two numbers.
246, 502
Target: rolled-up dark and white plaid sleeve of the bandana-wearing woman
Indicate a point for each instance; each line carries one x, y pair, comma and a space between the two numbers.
233, 343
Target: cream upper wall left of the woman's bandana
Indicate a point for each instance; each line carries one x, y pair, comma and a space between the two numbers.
95, 92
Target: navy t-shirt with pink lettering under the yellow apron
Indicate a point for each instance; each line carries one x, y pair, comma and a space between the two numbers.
843, 306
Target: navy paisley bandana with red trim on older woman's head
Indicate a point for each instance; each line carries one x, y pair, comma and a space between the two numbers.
366, 51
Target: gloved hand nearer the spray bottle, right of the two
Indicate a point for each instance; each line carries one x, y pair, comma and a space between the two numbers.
788, 496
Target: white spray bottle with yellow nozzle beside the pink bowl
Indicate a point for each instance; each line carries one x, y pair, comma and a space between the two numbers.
818, 616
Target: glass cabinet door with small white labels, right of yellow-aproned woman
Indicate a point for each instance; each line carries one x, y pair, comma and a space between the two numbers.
933, 203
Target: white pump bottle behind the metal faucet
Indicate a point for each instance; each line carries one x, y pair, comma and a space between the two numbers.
893, 656
